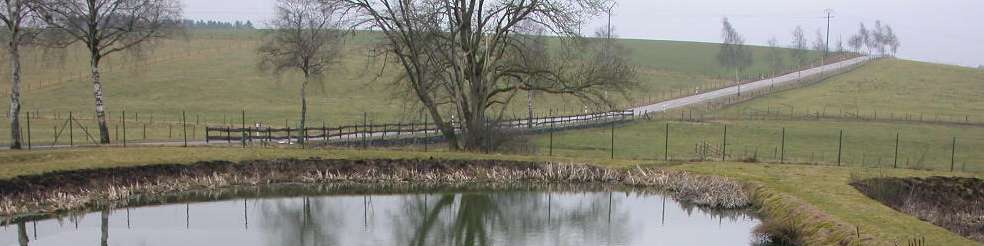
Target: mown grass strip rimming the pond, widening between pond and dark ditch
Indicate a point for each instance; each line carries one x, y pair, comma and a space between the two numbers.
823, 187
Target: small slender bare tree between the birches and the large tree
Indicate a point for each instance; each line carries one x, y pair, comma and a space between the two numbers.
308, 38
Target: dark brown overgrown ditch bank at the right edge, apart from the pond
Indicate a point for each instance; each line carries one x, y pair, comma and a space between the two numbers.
954, 203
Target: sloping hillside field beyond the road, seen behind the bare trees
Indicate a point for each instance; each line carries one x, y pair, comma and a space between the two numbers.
213, 75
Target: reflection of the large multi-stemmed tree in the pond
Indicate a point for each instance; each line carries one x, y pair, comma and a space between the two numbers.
513, 218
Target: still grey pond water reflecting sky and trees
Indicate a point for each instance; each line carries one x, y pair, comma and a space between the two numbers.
436, 218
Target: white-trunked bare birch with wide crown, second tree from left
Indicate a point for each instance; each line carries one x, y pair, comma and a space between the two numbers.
106, 27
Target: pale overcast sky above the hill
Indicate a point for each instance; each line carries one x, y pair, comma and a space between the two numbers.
943, 31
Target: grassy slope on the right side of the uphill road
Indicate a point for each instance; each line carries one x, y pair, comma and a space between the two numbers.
890, 88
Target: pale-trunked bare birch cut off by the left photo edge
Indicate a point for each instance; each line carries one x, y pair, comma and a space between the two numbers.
18, 31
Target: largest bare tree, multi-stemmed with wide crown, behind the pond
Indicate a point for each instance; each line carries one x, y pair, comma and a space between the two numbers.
469, 57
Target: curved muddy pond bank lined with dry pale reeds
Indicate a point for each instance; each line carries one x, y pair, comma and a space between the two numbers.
115, 187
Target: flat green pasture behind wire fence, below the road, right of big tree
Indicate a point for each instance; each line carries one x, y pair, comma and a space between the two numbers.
921, 146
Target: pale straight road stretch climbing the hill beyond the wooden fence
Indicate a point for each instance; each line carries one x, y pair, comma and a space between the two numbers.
747, 87
